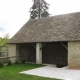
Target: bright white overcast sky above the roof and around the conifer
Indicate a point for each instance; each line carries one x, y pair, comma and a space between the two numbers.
15, 13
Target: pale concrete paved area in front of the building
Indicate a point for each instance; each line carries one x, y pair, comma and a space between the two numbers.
53, 72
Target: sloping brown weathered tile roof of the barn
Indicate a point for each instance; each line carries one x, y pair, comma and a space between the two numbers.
57, 28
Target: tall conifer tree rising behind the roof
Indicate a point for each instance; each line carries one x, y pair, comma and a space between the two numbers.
39, 9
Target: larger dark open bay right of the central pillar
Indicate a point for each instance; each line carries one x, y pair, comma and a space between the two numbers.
55, 53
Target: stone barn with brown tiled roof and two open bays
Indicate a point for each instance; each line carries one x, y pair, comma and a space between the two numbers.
50, 40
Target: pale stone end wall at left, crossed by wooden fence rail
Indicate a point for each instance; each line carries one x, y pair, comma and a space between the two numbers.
12, 52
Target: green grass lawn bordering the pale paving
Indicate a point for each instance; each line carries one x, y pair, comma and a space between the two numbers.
12, 72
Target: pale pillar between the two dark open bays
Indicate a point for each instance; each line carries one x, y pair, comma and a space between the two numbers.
38, 53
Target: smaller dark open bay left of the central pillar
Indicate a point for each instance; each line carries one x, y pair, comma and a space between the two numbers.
28, 52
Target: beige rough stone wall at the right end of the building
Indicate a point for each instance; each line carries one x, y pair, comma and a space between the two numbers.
74, 54
